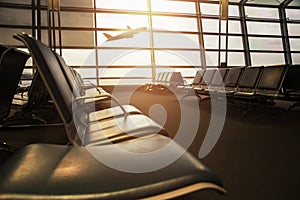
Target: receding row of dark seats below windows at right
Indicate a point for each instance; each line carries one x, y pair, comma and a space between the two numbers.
262, 84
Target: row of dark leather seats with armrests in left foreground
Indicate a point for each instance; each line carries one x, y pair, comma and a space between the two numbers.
56, 171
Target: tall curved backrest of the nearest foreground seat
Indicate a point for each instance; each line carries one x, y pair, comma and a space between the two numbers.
54, 79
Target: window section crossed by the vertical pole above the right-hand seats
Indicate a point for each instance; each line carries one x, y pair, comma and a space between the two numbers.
212, 26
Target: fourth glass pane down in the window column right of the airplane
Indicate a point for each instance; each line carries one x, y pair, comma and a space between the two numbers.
177, 58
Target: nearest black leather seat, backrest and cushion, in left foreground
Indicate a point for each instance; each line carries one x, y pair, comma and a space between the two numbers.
44, 171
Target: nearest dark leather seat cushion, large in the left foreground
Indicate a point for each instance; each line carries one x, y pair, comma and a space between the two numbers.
57, 172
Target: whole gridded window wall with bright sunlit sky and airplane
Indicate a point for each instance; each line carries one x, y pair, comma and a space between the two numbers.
177, 35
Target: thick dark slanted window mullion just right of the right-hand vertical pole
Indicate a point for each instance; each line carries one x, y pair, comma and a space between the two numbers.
244, 32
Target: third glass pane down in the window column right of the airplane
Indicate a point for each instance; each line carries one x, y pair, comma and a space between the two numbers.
176, 40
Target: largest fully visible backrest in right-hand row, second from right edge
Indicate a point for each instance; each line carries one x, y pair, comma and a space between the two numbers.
271, 79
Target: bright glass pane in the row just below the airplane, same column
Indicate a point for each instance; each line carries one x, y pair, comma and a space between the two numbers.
124, 57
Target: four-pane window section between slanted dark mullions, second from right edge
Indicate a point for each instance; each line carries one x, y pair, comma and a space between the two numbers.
264, 35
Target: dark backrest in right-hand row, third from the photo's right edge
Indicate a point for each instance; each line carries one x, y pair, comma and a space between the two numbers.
250, 77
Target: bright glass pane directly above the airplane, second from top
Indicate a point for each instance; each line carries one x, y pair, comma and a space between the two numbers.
118, 21
